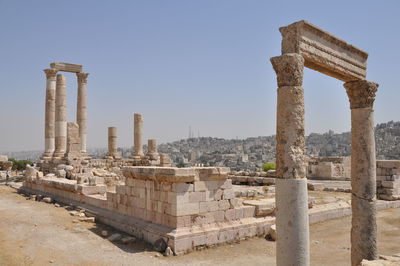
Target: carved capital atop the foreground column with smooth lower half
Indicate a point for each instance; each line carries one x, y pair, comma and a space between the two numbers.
289, 69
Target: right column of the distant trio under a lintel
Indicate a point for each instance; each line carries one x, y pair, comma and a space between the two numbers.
81, 112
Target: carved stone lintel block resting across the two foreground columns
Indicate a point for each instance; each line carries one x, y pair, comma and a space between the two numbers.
324, 52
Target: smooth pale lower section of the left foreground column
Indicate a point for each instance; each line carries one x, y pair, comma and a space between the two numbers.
293, 238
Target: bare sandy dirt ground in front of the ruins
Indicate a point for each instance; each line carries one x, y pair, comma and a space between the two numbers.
36, 233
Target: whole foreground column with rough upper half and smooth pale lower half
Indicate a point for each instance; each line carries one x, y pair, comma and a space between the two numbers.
291, 184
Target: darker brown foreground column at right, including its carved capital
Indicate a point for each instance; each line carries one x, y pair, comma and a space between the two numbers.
363, 170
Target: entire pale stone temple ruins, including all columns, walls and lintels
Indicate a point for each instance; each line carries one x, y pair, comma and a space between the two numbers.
182, 209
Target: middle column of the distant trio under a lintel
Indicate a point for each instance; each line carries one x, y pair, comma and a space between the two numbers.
61, 117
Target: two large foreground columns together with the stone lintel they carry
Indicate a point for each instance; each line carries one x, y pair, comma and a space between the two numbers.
304, 44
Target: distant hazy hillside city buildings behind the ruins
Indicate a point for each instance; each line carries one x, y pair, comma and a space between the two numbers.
252, 153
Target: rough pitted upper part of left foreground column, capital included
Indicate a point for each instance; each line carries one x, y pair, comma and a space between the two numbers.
290, 147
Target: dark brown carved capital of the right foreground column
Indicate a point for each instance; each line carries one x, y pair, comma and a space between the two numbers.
361, 93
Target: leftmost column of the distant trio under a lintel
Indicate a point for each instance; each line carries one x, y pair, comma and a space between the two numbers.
50, 109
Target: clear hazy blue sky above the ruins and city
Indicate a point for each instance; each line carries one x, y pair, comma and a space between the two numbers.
203, 64
